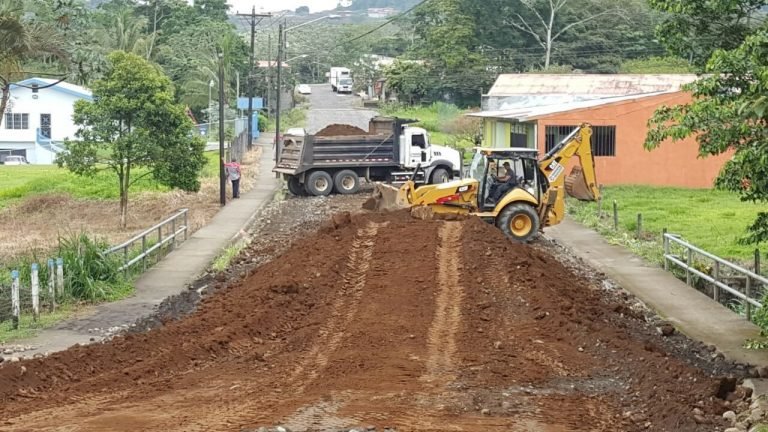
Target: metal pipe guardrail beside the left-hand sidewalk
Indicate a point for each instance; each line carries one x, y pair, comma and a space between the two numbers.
176, 230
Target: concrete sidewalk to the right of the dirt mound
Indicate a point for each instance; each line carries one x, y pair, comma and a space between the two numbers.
690, 311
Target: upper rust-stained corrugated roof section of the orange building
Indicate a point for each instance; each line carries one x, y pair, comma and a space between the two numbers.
588, 84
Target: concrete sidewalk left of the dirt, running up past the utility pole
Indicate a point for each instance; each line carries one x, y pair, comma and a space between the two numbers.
171, 275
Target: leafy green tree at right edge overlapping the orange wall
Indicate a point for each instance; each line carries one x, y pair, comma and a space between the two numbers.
729, 112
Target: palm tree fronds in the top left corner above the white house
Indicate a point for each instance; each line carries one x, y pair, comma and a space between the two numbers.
21, 40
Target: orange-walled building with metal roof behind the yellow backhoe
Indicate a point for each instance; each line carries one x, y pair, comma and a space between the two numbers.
539, 110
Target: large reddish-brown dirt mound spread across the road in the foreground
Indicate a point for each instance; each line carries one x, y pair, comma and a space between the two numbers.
380, 320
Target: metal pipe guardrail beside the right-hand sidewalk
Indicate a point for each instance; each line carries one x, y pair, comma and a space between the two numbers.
686, 263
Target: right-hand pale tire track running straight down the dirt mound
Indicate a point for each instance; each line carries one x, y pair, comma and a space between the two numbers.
441, 342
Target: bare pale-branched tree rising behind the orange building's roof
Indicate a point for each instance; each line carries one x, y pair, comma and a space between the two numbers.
543, 20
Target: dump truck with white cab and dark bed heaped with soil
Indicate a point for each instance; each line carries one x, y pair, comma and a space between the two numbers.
389, 152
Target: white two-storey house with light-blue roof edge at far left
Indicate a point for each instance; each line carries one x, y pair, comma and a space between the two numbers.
39, 118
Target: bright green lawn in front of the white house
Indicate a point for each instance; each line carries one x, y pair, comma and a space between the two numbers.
18, 182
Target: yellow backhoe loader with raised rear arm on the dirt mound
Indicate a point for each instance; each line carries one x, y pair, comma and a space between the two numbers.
509, 187
